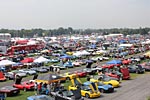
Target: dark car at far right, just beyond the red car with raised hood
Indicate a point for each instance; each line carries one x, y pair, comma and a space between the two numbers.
136, 69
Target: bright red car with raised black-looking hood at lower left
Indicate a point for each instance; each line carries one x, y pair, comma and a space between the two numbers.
24, 85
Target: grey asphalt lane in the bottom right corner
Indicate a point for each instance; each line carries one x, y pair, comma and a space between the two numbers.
136, 89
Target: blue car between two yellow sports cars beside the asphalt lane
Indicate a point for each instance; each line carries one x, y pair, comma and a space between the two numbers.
105, 88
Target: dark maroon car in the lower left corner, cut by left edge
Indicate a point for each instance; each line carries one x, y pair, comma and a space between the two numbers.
9, 91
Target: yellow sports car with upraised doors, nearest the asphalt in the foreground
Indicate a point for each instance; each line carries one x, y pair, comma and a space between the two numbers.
88, 89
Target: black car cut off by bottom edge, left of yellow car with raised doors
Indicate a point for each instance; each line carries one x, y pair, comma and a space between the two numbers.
68, 95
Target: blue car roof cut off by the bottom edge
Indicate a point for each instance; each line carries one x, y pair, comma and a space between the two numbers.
40, 97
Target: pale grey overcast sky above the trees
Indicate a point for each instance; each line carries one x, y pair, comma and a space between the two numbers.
78, 14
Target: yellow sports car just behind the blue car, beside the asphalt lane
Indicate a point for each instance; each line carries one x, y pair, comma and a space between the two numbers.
107, 80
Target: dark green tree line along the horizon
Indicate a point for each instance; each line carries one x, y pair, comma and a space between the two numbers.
68, 31
